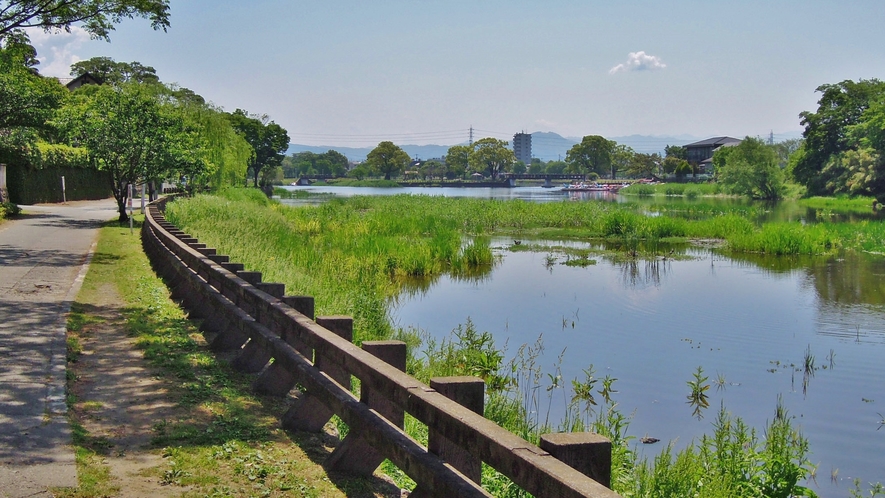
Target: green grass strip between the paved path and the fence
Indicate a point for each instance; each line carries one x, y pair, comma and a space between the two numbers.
219, 439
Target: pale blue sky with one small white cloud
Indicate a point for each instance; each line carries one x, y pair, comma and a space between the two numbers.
354, 73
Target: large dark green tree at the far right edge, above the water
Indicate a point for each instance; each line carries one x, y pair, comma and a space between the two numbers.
826, 134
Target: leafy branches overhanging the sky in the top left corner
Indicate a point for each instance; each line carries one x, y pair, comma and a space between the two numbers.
97, 16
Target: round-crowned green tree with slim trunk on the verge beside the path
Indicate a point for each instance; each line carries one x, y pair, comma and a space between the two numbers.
130, 134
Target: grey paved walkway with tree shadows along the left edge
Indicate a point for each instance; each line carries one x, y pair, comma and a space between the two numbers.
43, 259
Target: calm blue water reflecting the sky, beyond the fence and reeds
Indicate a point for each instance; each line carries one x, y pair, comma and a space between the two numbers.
651, 324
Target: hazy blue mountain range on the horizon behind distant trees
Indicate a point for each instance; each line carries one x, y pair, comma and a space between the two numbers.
546, 146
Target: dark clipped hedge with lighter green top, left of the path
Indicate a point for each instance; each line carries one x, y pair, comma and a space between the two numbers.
36, 177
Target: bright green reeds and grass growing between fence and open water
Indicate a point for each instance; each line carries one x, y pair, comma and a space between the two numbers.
356, 255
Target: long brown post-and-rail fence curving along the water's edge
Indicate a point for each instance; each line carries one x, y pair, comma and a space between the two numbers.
277, 338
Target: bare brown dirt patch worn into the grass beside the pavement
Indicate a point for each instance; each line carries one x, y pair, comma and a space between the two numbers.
119, 400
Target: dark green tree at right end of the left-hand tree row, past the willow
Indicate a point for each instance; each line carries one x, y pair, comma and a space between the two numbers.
269, 142
